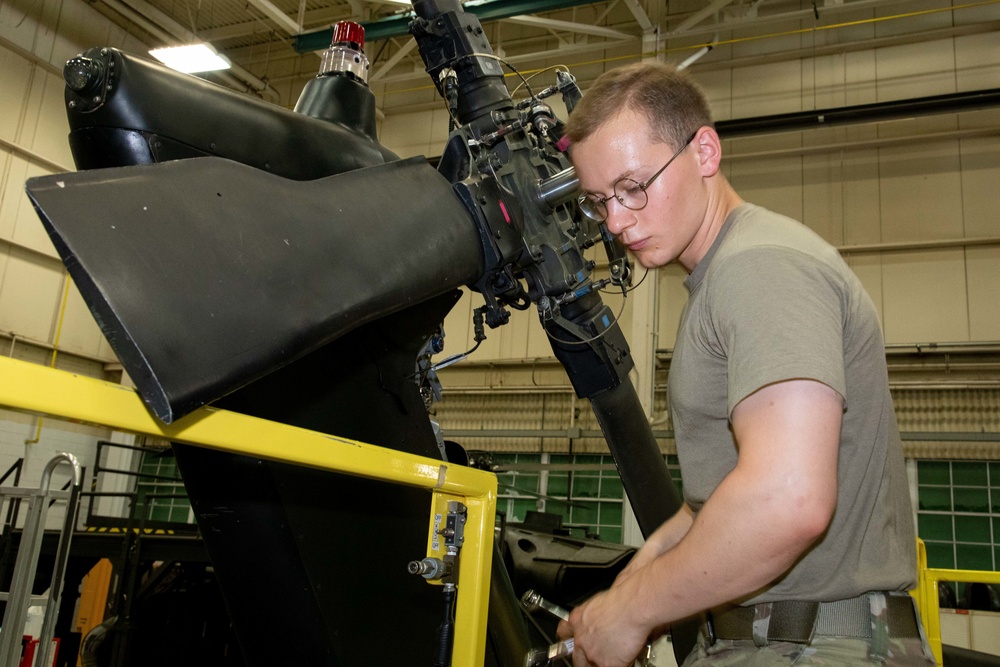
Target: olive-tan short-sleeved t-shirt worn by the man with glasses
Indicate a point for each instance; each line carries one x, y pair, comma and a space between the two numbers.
772, 301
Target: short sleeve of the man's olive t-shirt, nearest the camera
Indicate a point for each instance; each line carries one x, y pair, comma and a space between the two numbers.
778, 315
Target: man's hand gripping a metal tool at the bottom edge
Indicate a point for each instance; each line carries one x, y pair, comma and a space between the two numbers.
604, 635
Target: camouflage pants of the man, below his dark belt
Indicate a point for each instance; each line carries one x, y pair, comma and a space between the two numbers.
825, 651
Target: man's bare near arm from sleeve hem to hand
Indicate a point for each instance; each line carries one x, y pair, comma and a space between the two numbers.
765, 514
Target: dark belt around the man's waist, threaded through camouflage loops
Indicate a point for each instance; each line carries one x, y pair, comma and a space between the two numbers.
799, 622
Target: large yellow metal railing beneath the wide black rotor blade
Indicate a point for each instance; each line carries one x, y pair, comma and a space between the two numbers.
36, 389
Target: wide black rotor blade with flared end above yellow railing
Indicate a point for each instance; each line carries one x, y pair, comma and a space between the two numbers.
206, 274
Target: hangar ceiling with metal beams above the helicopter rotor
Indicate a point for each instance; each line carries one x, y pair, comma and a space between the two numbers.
275, 44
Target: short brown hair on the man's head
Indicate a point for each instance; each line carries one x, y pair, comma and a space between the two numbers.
673, 104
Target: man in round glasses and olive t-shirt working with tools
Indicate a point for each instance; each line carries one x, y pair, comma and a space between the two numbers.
797, 528
